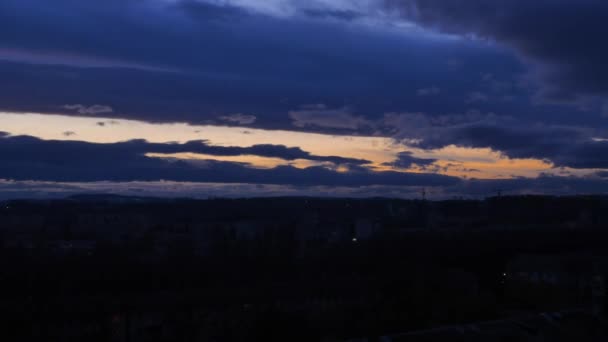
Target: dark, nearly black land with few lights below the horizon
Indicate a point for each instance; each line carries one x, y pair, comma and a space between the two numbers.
104, 268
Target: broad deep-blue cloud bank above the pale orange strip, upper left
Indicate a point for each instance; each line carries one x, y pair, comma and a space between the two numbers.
197, 62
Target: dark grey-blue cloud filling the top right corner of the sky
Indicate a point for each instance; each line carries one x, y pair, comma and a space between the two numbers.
565, 38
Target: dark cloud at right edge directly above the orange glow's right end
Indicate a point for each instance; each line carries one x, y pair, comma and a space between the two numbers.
562, 145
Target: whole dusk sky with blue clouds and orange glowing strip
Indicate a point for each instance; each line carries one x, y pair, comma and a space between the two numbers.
290, 97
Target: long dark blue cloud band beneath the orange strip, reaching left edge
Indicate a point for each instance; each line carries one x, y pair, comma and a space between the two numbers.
27, 158
